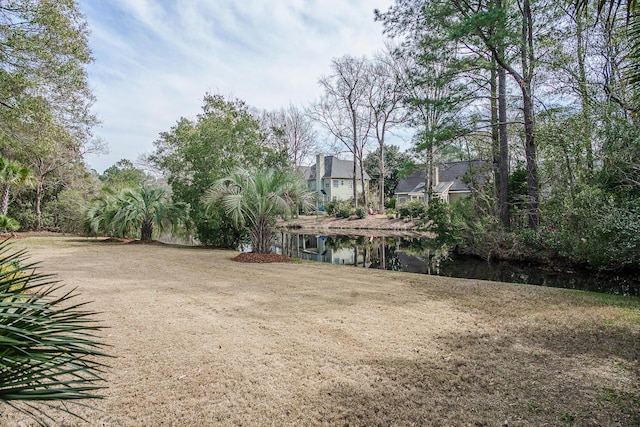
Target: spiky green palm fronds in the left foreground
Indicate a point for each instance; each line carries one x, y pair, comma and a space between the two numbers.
48, 345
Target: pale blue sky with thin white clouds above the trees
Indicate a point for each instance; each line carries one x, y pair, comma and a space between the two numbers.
154, 60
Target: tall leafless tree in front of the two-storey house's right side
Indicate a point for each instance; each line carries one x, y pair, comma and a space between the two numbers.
344, 111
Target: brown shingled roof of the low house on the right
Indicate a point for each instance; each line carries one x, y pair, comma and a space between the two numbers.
453, 175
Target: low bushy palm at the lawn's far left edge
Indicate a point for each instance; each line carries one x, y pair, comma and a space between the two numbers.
135, 209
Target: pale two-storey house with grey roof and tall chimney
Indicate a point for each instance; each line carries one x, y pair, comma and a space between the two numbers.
332, 179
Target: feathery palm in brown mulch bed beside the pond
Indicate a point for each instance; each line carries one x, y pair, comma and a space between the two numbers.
255, 199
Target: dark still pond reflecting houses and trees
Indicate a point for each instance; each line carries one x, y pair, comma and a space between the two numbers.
413, 254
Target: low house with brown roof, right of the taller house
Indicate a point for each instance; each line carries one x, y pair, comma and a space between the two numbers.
451, 182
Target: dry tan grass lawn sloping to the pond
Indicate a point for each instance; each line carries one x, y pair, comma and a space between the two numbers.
201, 340
